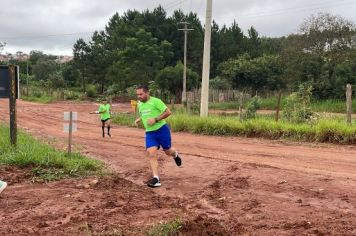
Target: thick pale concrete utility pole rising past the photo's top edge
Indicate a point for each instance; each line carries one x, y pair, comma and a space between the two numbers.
206, 62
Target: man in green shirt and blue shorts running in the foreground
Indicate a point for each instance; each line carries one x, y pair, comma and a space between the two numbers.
152, 113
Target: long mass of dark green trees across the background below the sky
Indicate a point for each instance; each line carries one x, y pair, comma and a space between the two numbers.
147, 48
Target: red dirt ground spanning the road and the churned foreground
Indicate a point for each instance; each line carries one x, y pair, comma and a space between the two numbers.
226, 186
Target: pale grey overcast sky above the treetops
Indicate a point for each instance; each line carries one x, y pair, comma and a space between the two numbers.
53, 26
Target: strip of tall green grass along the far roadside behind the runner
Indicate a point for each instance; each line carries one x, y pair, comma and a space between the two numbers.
325, 130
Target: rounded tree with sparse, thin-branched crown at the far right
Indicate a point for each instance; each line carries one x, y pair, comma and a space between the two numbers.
316, 54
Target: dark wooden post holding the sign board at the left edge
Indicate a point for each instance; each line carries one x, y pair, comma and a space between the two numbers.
12, 103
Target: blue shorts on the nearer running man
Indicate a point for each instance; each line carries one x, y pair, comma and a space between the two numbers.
158, 138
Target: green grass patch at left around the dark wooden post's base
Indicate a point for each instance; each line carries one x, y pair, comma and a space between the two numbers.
46, 163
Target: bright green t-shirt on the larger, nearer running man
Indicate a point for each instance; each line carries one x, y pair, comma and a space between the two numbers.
151, 109
